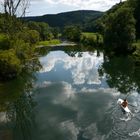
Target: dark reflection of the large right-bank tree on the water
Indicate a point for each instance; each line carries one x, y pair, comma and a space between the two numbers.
121, 73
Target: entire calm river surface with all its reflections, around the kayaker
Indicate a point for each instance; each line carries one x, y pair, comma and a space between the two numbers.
72, 97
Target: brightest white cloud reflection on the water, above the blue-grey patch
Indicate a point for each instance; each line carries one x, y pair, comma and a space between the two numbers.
84, 69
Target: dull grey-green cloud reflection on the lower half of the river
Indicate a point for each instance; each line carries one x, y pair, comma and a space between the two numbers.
82, 121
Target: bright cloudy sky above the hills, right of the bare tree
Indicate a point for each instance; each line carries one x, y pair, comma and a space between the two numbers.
41, 7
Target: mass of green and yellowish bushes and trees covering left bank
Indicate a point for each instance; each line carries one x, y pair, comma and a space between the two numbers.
17, 44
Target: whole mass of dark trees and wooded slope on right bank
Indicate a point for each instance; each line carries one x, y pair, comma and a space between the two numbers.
120, 26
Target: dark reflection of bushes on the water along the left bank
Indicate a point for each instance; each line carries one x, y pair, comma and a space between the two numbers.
16, 108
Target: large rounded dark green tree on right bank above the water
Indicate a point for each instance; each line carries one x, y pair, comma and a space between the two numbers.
120, 30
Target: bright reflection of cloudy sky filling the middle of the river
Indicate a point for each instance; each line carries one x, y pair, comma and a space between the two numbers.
75, 97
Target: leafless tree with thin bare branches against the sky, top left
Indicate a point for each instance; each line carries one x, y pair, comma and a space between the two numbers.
15, 7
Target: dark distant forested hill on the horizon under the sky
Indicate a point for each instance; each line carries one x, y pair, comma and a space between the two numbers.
81, 17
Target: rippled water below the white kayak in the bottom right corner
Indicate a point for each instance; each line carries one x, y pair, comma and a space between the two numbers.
124, 124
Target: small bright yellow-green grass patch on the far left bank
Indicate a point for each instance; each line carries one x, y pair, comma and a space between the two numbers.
50, 42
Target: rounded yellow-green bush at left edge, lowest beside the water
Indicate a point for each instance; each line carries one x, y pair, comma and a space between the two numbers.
9, 64
